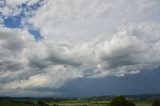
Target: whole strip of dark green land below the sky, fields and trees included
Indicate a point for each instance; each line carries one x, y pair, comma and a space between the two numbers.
92, 101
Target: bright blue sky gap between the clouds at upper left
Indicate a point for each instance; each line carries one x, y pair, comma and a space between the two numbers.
16, 21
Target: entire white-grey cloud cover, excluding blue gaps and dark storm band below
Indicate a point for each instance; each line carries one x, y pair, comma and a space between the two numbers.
78, 45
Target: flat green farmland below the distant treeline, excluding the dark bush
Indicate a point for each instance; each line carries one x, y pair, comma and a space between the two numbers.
65, 102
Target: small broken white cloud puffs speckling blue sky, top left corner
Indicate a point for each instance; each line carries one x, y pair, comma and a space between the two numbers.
15, 8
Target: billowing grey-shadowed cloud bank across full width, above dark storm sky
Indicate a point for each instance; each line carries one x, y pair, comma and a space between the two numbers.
26, 64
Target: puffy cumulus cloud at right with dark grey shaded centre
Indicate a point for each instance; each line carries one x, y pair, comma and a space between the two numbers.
131, 49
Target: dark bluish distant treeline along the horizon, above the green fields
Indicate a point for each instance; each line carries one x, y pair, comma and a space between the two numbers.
56, 99
